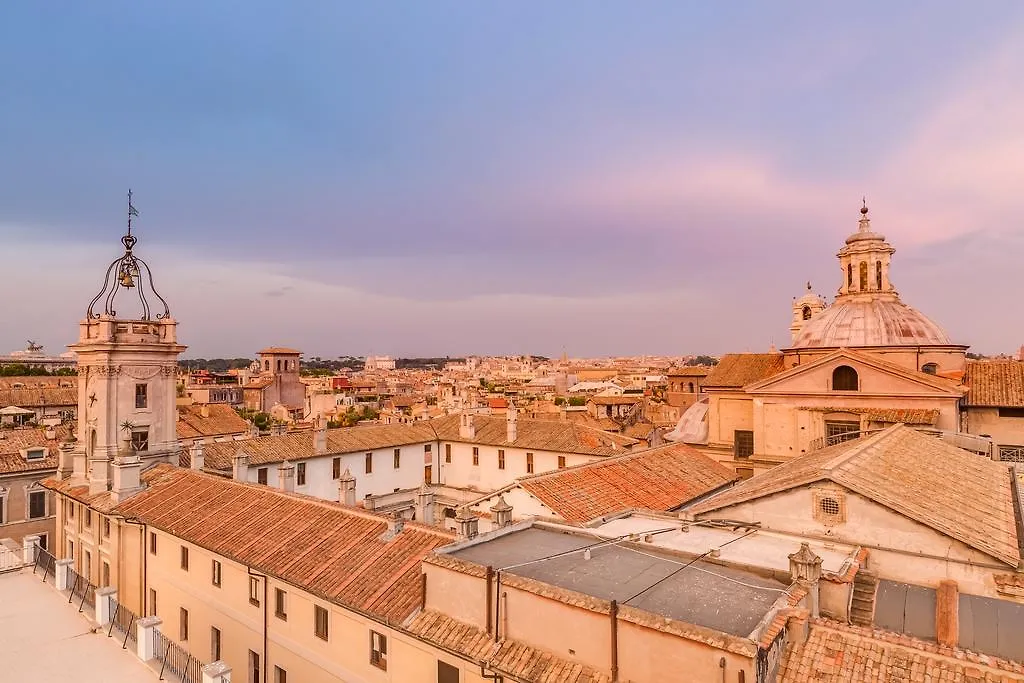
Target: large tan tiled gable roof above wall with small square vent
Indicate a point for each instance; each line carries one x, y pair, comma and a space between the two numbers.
959, 494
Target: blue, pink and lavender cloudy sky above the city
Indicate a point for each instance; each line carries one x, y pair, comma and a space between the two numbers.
448, 179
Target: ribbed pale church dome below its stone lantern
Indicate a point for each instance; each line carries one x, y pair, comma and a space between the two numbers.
870, 322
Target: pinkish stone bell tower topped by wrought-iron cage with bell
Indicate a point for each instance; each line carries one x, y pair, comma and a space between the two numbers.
127, 376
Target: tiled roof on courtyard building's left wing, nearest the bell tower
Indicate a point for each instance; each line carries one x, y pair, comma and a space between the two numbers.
269, 450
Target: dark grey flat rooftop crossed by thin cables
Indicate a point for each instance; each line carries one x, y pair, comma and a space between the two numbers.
730, 601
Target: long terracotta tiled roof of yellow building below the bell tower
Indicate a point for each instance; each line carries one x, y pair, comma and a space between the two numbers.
338, 553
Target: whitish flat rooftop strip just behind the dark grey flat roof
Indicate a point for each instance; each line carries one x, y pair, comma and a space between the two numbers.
762, 549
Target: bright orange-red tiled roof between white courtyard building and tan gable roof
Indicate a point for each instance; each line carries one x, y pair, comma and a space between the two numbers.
661, 479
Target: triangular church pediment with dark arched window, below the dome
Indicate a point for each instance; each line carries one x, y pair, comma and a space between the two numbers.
851, 373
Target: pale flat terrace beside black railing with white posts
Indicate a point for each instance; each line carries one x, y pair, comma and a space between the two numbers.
44, 638
